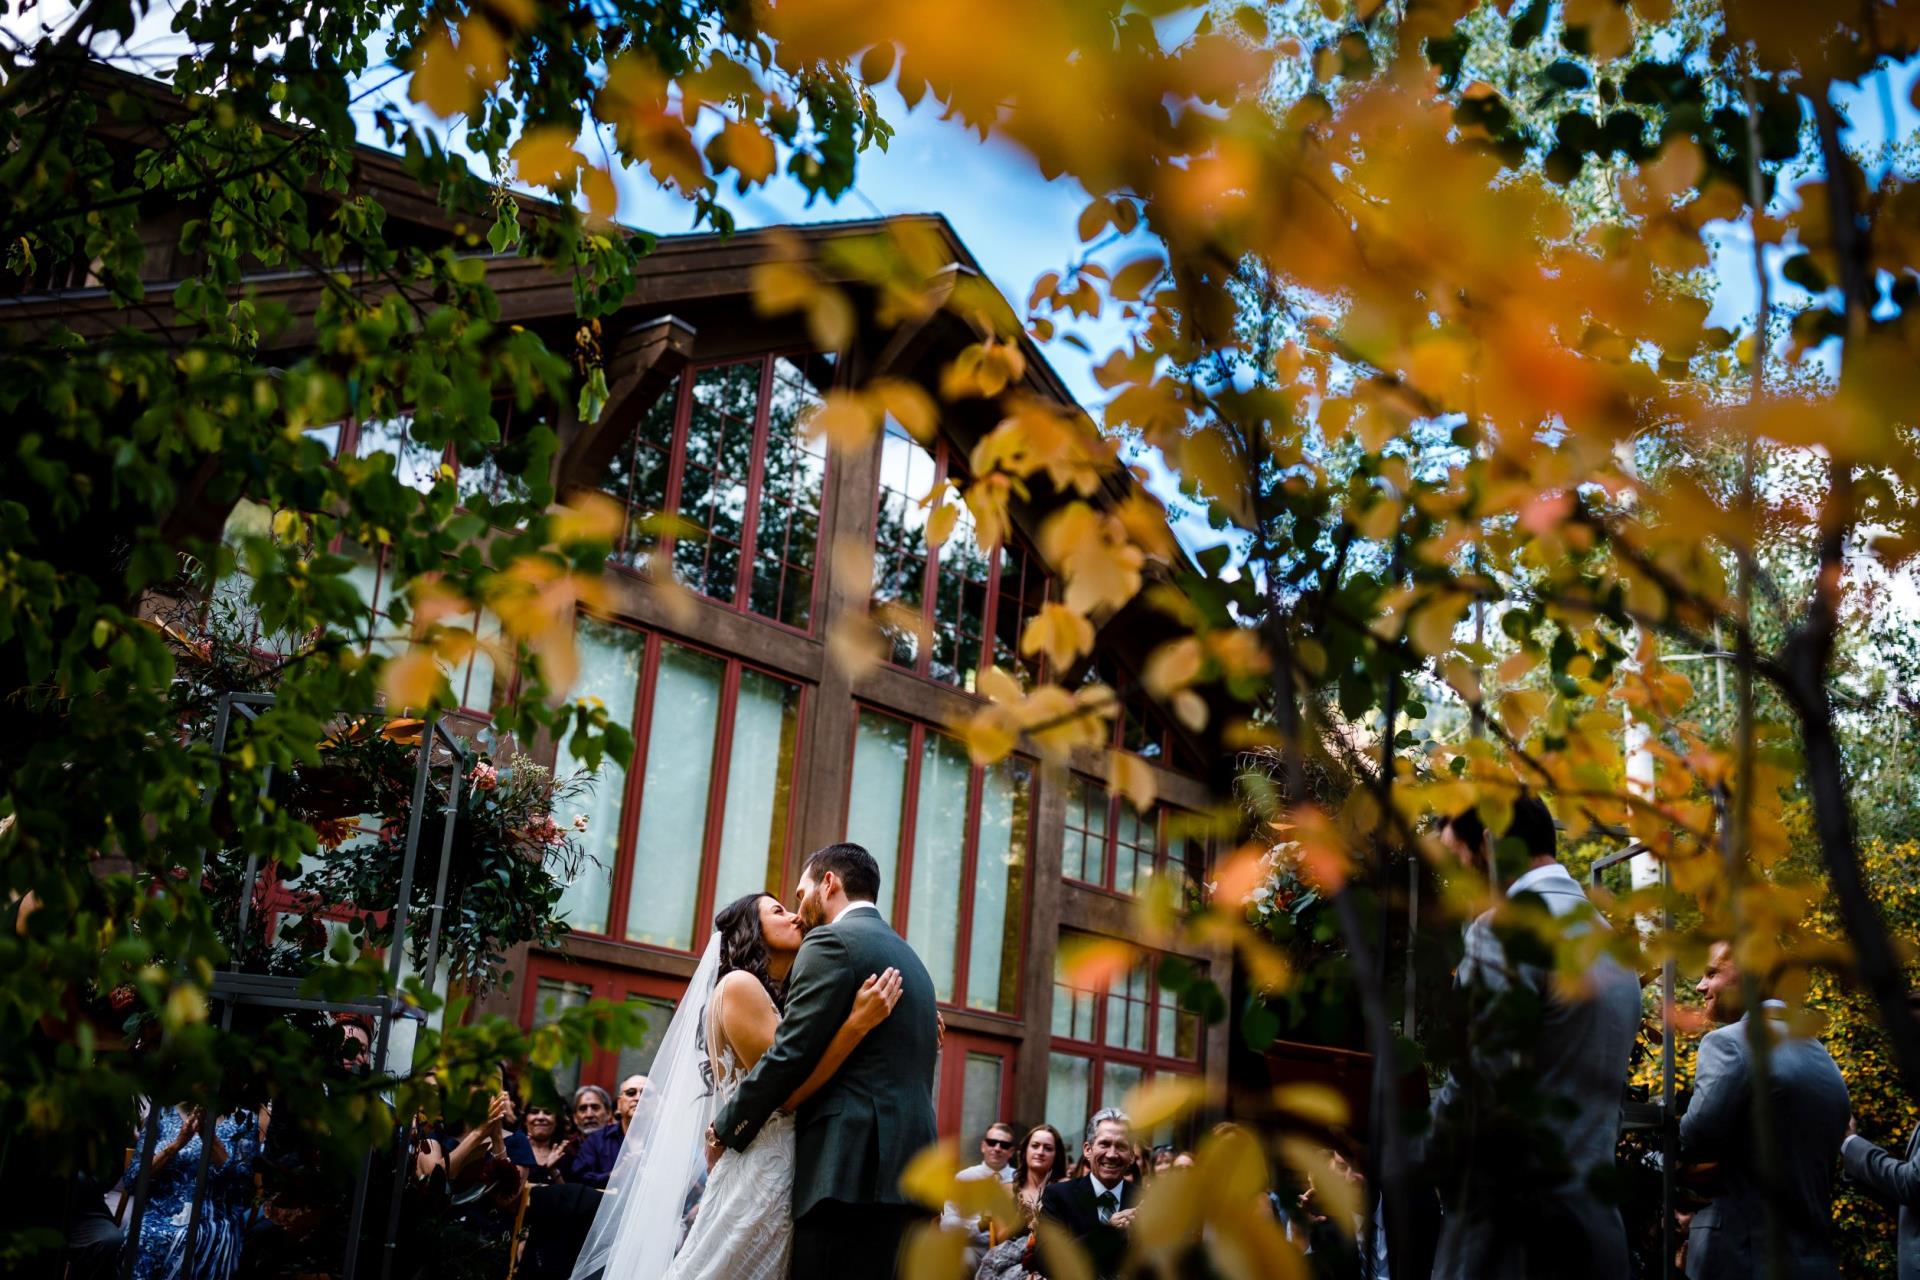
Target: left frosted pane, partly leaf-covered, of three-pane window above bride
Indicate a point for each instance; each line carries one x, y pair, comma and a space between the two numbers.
610, 671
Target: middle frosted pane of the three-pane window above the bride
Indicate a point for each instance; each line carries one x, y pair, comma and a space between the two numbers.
673, 799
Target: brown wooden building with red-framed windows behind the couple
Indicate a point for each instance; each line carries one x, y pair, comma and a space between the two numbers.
752, 744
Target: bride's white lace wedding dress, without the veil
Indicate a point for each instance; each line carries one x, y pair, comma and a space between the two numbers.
744, 1227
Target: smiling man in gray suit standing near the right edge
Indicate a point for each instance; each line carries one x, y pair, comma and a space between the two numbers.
1808, 1101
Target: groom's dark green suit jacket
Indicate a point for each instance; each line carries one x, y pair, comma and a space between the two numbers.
876, 1114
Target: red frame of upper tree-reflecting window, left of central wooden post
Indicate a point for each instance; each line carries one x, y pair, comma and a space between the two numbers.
750, 531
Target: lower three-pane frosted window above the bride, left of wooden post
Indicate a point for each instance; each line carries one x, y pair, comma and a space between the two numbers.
704, 815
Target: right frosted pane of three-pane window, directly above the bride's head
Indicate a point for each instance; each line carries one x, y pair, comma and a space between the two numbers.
754, 834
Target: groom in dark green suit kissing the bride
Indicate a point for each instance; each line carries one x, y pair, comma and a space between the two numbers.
876, 1114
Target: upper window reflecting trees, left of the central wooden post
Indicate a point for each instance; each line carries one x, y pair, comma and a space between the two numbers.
725, 454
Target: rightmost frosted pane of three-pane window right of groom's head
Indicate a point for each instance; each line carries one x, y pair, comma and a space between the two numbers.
999, 888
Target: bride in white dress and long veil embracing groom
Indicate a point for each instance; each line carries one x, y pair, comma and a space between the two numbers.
742, 1225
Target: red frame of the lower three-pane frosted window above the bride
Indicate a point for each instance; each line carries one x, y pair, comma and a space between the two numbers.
636, 774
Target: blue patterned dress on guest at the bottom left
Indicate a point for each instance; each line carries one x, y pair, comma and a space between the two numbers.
224, 1214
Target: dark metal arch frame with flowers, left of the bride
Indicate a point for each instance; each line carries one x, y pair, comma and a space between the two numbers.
231, 987
